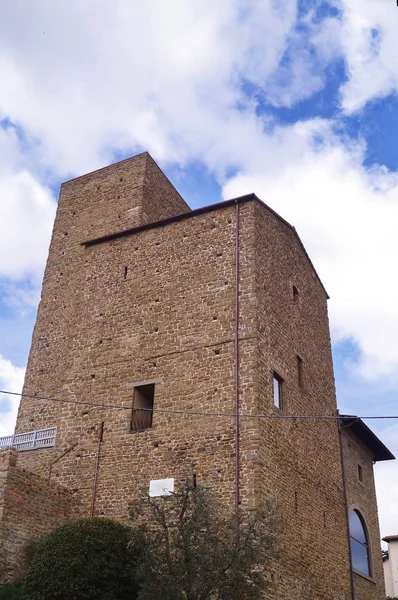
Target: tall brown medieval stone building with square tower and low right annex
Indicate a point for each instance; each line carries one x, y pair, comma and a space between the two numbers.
149, 305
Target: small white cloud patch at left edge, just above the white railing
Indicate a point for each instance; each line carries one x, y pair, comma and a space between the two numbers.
11, 379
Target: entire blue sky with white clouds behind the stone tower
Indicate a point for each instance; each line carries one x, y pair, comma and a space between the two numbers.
293, 100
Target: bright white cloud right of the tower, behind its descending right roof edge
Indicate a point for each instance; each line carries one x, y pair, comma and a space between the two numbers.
347, 217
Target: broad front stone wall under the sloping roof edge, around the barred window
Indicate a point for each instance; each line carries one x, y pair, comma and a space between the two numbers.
171, 320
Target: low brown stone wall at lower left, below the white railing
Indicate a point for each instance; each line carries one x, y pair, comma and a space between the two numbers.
29, 507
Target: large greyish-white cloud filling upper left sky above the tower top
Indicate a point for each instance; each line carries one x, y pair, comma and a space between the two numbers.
87, 79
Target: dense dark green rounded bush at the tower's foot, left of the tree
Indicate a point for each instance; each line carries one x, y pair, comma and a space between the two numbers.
89, 559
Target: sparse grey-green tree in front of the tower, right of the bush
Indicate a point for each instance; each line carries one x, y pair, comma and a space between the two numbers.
196, 550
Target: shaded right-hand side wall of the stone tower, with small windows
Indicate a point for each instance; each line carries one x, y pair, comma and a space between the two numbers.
299, 459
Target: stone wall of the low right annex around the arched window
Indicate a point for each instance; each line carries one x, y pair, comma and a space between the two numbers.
362, 496
